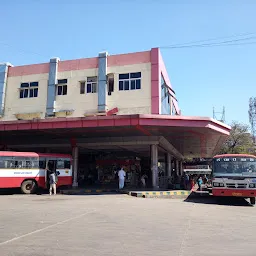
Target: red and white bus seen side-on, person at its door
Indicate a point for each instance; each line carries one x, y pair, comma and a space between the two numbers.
27, 170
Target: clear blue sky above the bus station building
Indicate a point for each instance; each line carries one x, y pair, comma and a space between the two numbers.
33, 31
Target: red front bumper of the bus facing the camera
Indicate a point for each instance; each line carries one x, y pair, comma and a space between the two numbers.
234, 192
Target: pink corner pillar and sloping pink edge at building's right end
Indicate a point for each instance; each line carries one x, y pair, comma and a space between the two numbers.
158, 69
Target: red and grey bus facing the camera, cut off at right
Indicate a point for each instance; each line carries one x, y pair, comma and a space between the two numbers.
234, 175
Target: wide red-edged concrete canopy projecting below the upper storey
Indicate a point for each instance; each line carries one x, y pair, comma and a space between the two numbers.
190, 136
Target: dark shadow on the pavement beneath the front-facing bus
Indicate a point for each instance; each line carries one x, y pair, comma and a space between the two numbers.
229, 201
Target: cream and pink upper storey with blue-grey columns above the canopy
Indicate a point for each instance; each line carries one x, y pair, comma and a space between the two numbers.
133, 83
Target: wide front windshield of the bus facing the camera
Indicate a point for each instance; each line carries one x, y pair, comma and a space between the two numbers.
235, 166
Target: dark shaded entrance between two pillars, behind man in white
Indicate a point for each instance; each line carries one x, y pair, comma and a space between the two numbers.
96, 171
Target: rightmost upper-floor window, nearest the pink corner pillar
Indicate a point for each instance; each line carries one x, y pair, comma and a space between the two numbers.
130, 81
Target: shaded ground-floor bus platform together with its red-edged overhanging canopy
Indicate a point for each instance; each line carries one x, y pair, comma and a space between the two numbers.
144, 144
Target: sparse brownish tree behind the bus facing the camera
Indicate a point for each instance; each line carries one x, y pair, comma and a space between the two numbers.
240, 140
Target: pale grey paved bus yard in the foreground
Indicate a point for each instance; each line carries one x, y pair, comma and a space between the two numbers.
123, 225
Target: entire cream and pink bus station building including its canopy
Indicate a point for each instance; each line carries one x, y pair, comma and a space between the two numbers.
107, 111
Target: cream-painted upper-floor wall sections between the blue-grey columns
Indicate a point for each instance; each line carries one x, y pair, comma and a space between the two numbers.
128, 102
